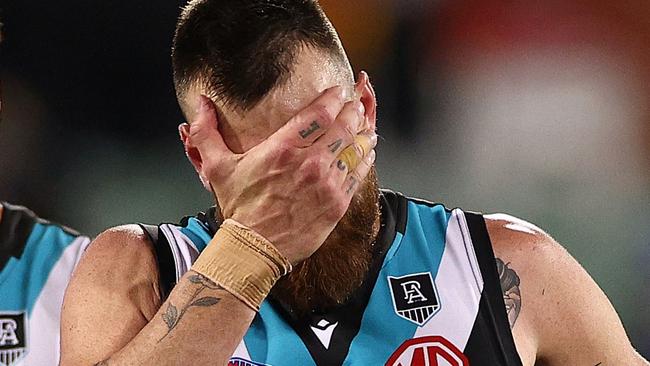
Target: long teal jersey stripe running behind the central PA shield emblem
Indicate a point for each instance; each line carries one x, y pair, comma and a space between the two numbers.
419, 250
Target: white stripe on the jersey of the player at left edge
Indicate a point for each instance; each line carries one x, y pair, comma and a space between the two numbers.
45, 320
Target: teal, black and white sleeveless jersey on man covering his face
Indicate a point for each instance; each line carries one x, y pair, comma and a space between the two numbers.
431, 297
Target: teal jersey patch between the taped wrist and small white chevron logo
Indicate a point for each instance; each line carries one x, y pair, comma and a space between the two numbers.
270, 340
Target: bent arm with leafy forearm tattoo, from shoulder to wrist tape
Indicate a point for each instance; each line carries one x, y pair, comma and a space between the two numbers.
112, 313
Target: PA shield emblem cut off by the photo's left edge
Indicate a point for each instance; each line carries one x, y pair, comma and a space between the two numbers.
13, 341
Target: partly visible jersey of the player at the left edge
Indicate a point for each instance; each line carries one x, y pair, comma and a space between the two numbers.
36, 262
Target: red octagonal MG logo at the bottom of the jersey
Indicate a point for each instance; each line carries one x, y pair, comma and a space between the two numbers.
428, 351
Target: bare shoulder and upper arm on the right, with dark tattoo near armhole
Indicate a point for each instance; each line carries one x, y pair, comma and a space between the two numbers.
557, 311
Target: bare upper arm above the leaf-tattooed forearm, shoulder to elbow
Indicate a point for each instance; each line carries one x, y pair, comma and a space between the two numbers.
111, 297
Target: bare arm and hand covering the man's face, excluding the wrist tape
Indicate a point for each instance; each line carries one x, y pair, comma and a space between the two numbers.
112, 312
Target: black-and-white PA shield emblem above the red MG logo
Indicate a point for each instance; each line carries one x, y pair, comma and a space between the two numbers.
415, 297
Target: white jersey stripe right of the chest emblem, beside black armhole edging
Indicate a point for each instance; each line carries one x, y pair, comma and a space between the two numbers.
459, 277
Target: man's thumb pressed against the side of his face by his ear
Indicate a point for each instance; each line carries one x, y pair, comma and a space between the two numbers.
204, 132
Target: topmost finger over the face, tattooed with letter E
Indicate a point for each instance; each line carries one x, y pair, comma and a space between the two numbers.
312, 122
